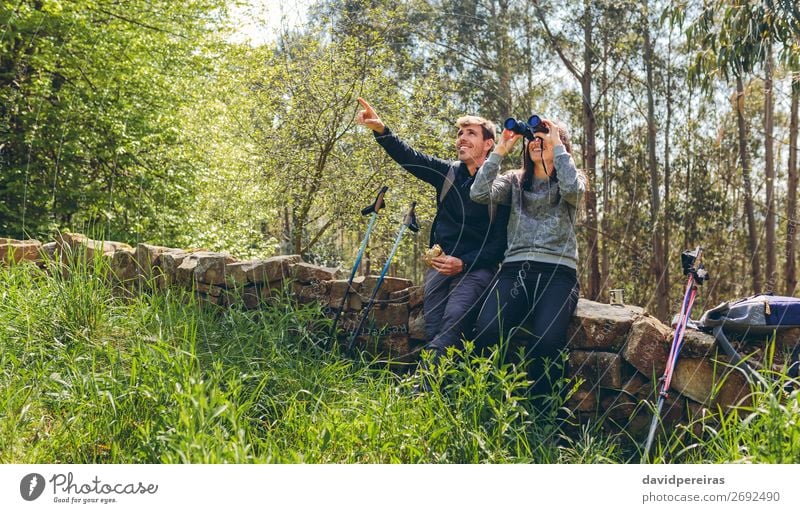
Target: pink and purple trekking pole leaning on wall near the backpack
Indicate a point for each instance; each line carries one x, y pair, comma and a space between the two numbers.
690, 261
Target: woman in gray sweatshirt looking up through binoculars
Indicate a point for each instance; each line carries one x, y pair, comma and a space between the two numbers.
536, 290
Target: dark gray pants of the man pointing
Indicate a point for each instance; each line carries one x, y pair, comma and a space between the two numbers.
451, 304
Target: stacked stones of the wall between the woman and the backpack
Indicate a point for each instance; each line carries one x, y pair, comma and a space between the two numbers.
619, 352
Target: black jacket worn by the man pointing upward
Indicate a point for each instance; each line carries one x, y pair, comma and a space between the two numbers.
461, 226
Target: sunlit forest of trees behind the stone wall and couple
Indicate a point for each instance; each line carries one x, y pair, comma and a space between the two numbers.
154, 121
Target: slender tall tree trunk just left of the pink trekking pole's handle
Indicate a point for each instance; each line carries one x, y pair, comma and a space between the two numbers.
652, 166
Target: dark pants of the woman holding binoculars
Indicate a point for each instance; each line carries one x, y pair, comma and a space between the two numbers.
531, 302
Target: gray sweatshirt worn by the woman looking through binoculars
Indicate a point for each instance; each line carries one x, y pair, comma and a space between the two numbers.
542, 222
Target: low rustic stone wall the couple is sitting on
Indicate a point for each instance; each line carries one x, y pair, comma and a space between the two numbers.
618, 351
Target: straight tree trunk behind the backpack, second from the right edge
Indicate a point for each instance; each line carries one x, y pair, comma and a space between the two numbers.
769, 162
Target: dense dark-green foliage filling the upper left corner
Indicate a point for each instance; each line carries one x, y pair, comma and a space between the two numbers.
90, 128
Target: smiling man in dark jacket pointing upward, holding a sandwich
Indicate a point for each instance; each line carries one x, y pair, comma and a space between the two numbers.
471, 235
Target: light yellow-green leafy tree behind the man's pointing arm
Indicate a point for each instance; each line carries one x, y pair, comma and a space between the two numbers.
287, 170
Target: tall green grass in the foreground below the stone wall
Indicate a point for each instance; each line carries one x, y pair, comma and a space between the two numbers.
89, 376
